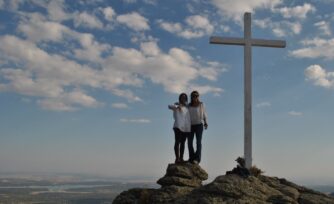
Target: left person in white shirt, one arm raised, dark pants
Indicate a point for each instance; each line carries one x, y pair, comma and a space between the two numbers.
181, 127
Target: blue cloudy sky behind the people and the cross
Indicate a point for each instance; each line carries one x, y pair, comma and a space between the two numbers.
84, 85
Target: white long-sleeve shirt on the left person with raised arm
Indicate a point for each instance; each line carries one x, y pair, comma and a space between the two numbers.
181, 118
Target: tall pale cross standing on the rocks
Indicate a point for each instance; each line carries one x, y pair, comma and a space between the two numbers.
248, 42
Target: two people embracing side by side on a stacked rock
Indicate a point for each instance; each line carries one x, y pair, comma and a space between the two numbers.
189, 122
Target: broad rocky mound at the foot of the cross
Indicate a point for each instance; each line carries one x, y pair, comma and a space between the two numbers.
262, 189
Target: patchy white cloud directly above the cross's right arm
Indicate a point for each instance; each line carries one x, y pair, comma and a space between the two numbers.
281, 28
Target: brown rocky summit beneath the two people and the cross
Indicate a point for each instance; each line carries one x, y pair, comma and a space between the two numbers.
182, 183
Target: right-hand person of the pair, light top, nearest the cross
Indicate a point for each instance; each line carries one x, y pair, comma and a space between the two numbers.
198, 119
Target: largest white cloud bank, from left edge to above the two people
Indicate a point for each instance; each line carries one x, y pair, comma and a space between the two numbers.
50, 76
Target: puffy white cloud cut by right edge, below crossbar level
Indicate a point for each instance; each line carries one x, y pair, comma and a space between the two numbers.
319, 76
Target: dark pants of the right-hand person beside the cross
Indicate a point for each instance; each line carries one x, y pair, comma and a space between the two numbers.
198, 131
